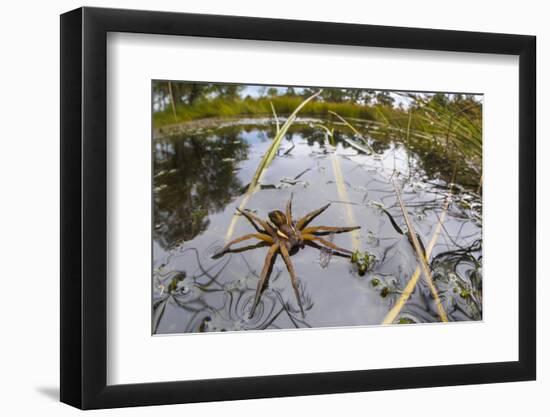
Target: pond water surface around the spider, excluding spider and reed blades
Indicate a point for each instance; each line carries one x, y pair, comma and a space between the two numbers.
201, 176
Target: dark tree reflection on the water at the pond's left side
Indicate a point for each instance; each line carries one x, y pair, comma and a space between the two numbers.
194, 177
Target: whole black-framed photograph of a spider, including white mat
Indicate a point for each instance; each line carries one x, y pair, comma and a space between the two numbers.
255, 208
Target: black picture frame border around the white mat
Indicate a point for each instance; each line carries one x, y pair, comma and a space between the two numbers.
84, 207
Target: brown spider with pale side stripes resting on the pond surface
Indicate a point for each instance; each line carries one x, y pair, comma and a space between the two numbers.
285, 236
